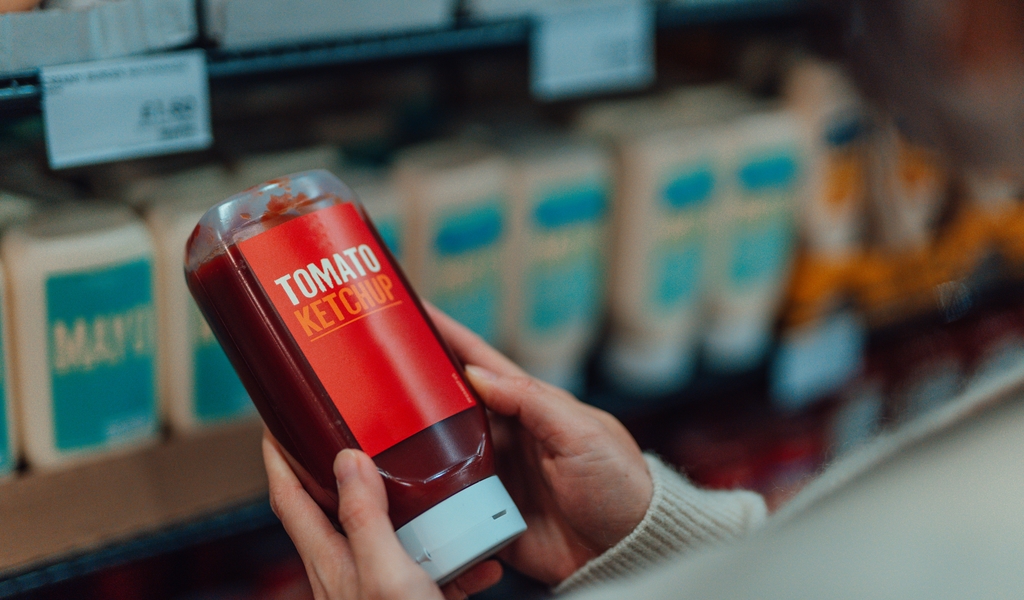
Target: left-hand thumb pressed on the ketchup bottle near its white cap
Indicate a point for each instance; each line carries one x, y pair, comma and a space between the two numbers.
363, 515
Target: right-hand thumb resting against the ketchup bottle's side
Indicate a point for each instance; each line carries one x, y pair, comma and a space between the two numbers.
545, 411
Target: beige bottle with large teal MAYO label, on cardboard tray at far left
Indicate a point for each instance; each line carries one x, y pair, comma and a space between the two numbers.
84, 329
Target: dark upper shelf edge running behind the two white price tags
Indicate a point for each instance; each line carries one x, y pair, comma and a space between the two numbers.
21, 91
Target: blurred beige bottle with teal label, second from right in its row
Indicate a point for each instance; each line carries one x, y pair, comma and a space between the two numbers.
668, 192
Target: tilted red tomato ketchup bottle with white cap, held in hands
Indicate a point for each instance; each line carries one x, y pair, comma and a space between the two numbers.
336, 352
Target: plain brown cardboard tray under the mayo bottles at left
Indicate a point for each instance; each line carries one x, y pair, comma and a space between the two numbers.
48, 517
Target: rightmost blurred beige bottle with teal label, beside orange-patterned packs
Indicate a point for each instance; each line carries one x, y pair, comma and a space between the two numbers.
755, 237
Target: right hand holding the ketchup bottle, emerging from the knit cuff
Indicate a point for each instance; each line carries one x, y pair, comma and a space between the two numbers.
578, 477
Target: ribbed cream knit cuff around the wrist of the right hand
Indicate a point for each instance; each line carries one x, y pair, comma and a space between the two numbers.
681, 518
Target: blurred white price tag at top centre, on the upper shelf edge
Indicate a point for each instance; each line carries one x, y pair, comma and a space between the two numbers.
581, 49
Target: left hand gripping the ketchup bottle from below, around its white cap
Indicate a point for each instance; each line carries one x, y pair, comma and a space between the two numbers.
369, 562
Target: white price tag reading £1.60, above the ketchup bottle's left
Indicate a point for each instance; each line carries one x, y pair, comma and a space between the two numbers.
124, 109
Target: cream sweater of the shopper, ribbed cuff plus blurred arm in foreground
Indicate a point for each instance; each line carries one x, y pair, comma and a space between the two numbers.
685, 520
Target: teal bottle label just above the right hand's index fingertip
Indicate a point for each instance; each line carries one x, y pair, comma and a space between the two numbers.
467, 274
